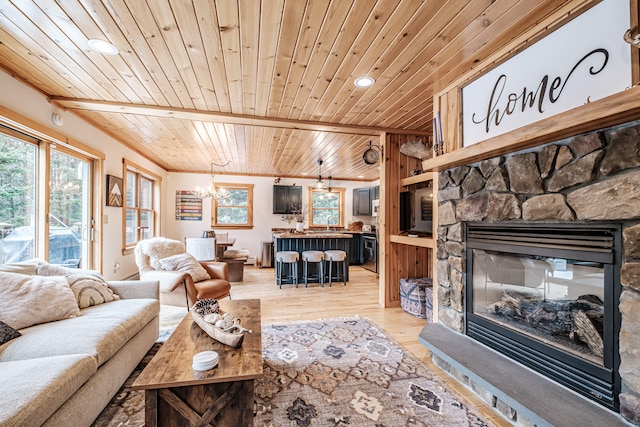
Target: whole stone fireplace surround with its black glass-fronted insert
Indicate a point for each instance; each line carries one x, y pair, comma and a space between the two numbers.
589, 182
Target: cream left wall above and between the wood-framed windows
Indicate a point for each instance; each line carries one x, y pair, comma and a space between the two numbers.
32, 104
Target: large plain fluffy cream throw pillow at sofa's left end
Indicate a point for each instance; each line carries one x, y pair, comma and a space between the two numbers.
30, 300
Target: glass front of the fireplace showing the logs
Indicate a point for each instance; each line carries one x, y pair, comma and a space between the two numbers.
557, 301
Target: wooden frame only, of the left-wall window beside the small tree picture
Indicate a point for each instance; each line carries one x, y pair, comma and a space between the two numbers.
140, 174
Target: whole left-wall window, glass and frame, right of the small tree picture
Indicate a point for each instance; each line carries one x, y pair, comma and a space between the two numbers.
141, 204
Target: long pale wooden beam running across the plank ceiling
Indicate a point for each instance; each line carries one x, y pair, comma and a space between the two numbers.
219, 117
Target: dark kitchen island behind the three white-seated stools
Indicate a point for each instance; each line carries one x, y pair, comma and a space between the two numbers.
312, 241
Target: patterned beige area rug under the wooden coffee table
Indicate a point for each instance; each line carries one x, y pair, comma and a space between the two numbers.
339, 372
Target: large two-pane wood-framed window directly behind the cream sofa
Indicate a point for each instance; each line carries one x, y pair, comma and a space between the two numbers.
45, 202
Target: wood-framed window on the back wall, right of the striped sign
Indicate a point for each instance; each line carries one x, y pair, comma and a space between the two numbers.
235, 211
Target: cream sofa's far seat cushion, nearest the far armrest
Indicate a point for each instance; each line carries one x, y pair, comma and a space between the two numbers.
100, 331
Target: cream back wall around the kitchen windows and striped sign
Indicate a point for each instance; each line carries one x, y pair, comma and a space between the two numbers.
263, 218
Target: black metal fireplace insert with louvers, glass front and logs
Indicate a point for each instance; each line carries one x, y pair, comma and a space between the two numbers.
547, 295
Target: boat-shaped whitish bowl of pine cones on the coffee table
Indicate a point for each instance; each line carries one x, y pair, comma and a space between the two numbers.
221, 326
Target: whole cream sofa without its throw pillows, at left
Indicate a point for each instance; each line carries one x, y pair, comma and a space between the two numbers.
64, 372
